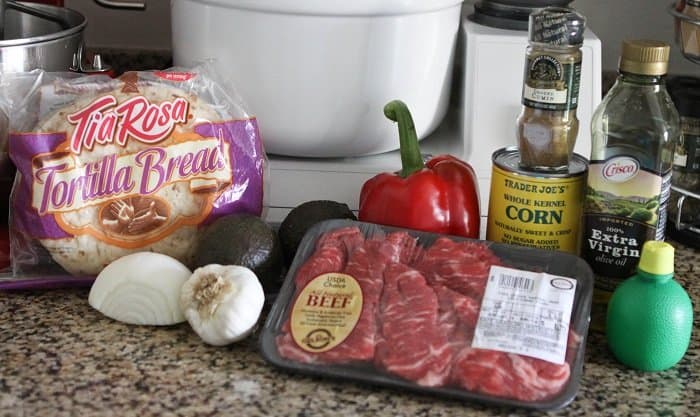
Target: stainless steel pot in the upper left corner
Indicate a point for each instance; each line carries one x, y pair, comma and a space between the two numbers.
39, 36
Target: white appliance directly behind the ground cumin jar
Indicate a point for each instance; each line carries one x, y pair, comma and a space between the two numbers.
492, 88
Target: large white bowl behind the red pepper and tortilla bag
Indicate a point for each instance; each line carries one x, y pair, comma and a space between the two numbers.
317, 73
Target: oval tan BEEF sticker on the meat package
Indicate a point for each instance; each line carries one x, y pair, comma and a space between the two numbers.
326, 311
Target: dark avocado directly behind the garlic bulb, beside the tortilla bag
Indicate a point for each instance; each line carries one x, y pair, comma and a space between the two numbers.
245, 240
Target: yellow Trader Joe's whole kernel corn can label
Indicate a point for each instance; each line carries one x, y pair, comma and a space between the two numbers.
535, 210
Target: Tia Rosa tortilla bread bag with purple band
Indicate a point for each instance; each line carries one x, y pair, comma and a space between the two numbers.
107, 167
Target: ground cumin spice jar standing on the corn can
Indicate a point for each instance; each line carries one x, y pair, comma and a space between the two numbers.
547, 126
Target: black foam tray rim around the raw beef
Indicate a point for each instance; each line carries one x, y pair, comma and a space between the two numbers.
529, 259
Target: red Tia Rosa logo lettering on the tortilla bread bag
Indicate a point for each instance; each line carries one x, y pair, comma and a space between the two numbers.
103, 121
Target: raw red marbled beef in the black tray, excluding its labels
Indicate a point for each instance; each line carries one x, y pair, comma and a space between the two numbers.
421, 306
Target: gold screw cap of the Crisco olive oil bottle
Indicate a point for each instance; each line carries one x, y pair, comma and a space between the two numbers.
644, 57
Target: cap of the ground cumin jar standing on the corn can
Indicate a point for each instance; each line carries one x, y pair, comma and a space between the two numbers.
557, 26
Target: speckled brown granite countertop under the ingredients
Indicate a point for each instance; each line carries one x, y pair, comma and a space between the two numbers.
59, 357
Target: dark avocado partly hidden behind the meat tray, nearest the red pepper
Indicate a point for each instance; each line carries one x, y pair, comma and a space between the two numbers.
303, 217
